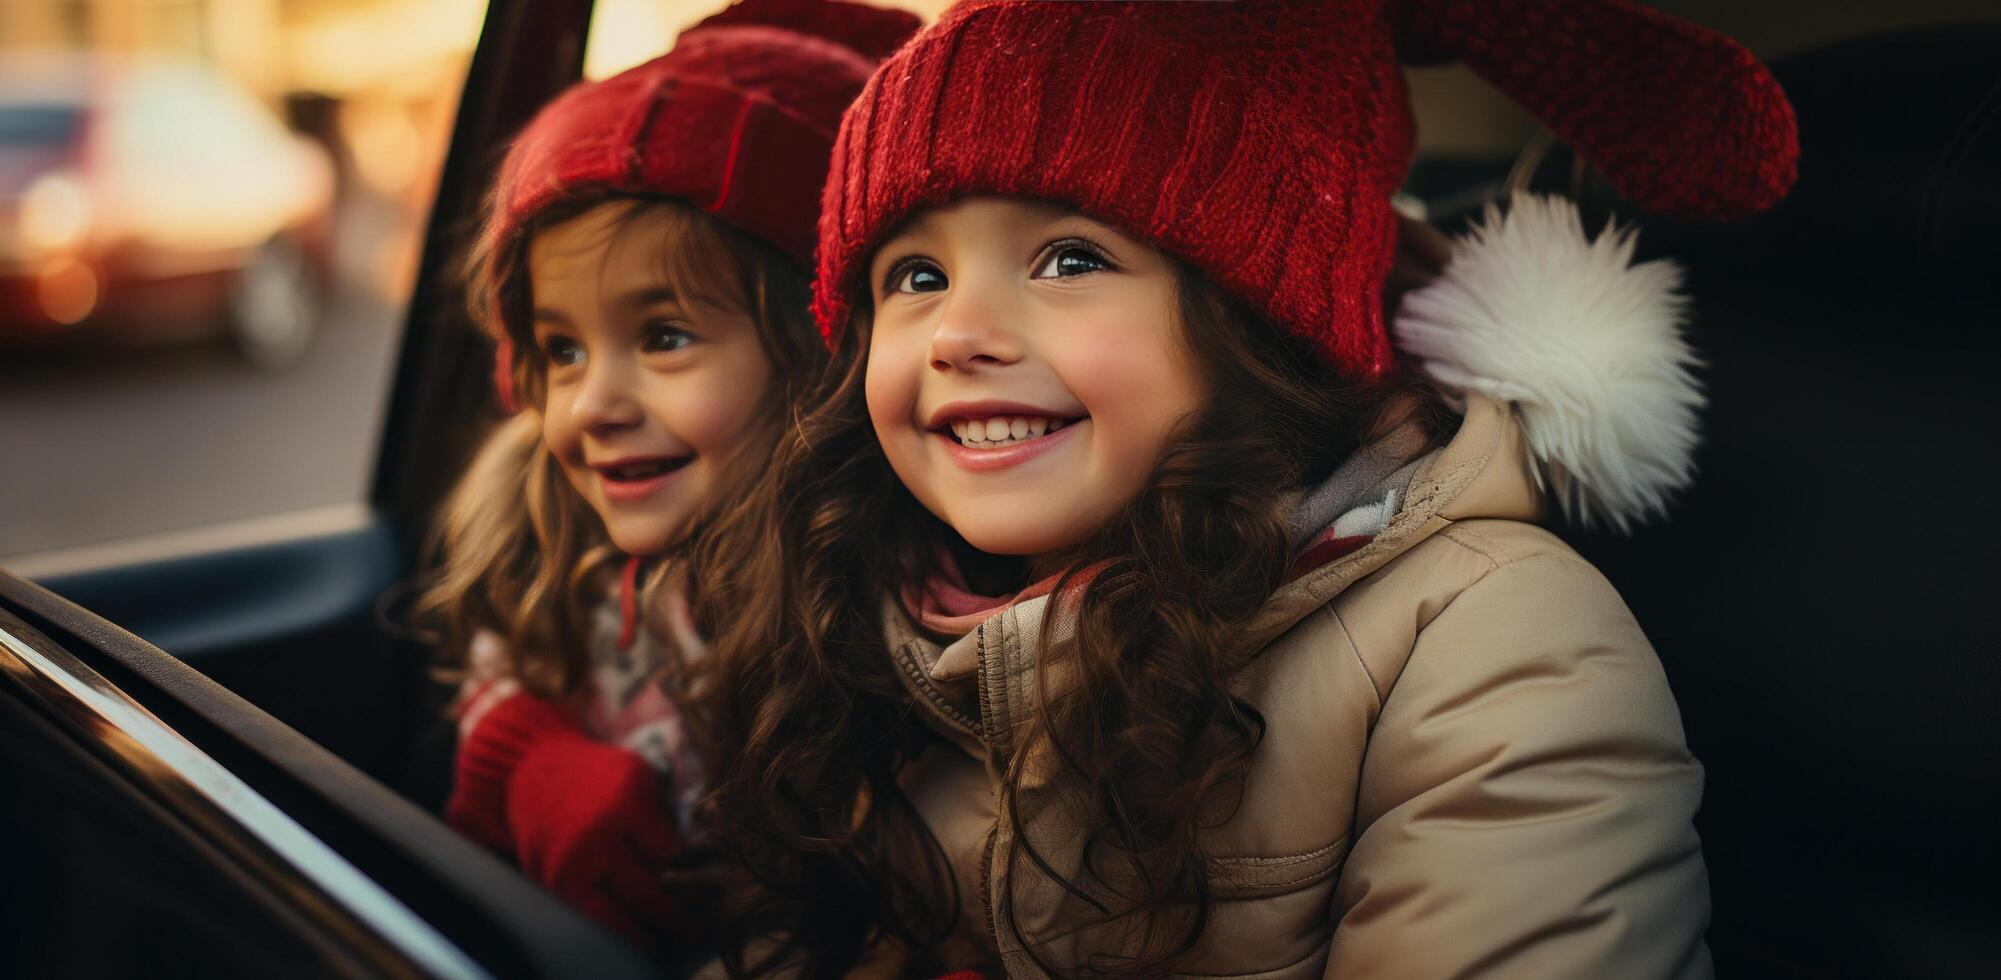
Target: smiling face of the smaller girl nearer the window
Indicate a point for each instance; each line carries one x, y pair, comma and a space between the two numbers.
649, 391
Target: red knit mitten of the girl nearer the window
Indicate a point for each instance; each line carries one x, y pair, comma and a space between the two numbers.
581, 817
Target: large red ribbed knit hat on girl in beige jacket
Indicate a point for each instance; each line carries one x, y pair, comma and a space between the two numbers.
1262, 141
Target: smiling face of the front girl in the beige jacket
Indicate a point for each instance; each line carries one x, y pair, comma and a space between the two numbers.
1026, 371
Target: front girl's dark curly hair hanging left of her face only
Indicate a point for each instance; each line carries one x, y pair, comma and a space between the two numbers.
805, 727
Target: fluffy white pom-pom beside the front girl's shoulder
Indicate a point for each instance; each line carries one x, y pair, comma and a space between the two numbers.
1588, 345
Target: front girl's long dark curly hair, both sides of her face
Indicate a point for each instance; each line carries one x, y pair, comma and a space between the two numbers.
813, 727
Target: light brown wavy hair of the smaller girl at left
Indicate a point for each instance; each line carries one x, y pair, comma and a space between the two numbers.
519, 553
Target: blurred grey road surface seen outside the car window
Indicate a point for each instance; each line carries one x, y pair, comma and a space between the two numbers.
129, 443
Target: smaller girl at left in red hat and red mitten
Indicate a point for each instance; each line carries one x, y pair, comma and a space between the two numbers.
643, 269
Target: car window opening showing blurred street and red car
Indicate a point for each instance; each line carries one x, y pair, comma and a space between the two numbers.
209, 235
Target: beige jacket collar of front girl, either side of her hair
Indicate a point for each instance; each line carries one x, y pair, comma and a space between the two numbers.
987, 689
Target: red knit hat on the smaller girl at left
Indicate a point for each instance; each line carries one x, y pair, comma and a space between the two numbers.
739, 121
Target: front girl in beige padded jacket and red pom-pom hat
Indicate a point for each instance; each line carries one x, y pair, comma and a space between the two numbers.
1142, 595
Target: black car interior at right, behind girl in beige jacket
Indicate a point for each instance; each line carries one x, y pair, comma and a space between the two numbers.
1822, 599
